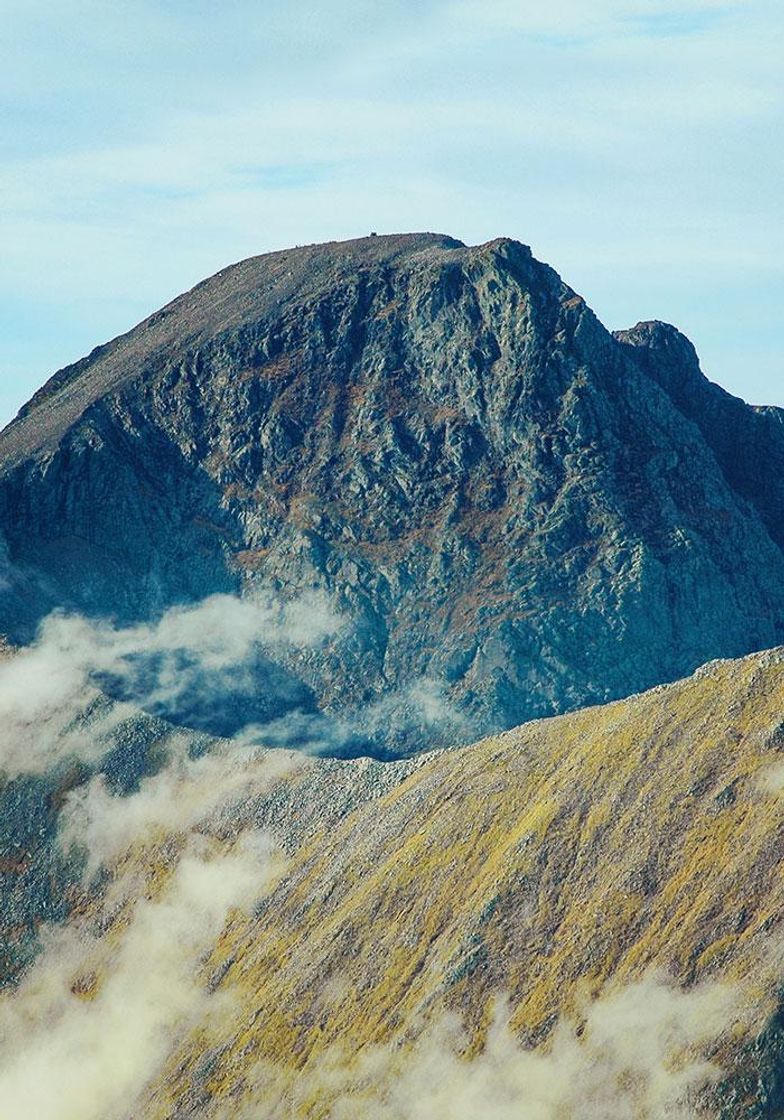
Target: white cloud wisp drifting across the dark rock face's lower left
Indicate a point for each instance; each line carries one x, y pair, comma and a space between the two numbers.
48, 688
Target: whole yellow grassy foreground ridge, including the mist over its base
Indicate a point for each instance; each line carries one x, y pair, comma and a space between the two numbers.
609, 883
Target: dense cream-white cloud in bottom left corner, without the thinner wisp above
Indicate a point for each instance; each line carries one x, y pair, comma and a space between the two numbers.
95, 1020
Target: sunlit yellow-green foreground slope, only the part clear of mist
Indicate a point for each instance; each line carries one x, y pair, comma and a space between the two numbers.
563, 860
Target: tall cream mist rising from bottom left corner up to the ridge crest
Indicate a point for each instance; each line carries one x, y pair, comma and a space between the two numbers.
114, 992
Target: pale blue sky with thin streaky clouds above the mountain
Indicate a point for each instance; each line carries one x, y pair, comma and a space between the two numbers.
637, 145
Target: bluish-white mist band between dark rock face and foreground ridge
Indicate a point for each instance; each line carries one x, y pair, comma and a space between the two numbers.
228, 667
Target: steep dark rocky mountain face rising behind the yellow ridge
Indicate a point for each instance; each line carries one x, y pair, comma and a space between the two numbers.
501, 496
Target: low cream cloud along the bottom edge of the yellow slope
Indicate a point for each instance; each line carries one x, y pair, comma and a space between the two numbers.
638, 1051
